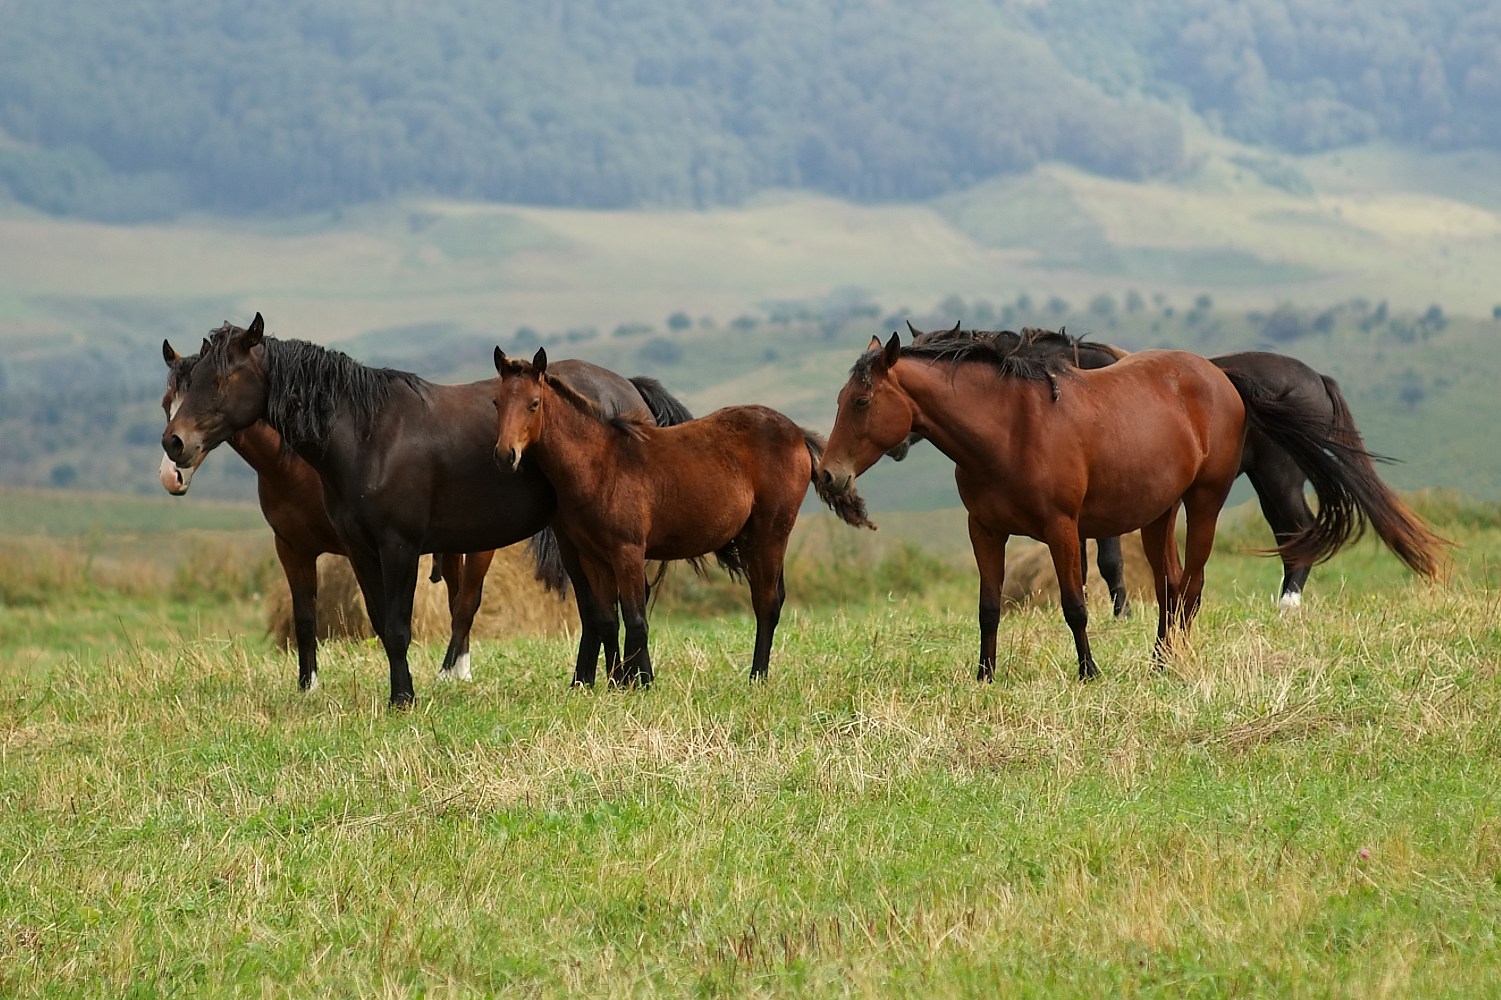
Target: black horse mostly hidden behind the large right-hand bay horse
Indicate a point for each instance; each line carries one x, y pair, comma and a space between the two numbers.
1274, 474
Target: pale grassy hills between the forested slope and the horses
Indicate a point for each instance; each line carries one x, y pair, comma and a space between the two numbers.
772, 303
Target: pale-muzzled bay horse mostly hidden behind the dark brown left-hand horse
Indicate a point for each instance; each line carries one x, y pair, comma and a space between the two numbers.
292, 501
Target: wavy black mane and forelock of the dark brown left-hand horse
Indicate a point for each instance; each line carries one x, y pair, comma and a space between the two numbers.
310, 387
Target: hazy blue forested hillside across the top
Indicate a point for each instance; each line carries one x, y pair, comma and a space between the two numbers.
142, 109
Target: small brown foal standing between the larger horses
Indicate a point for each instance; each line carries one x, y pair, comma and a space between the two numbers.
729, 484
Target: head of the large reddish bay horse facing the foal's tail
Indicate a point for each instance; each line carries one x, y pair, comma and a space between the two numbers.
874, 418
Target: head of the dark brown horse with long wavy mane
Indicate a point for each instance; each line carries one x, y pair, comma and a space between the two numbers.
223, 393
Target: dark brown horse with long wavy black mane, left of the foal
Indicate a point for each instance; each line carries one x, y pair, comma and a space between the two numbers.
405, 465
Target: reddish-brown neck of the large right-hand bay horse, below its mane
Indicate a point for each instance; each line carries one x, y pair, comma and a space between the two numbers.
963, 409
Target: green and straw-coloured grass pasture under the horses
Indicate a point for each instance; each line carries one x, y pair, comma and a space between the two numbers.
1299, 806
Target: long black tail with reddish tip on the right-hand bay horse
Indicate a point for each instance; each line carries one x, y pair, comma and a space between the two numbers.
1334, 457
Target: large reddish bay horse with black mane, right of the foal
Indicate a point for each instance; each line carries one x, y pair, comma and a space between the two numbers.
1024, 435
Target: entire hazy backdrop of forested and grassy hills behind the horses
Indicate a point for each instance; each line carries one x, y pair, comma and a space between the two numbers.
735, 197
